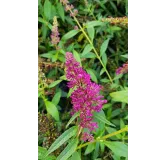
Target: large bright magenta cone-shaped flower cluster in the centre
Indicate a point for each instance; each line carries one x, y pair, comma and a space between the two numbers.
86, 97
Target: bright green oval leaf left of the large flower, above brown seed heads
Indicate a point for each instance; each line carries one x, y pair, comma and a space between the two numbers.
52, 110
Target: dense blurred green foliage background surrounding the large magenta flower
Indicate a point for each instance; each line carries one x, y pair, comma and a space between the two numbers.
106, 24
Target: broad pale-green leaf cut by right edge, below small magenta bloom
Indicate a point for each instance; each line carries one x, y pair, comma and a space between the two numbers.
120, 96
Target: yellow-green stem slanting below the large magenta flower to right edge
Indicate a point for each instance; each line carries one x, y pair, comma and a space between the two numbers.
104, 137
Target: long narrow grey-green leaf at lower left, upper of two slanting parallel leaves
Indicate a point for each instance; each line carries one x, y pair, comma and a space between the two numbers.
62, 139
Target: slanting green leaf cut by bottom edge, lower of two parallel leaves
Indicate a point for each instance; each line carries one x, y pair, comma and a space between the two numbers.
69, 150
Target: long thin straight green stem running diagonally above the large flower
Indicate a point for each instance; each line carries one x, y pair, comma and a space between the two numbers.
93, 48
